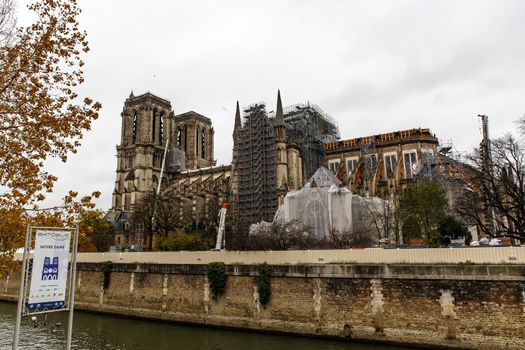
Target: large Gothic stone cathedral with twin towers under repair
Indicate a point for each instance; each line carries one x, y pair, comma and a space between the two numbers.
273, 153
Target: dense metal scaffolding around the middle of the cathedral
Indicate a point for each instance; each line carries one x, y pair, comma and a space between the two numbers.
256, 197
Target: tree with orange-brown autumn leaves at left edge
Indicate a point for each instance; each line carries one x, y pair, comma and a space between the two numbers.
41, 114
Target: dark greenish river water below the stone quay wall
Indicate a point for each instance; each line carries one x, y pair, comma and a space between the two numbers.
97, 332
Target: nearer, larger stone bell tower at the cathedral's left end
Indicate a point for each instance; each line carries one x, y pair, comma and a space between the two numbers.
147, 125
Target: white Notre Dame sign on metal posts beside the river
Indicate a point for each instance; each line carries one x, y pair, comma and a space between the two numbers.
49, 284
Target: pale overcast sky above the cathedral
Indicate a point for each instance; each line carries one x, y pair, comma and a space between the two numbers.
375, 66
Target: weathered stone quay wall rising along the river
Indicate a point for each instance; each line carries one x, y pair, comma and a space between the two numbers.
461, 306
